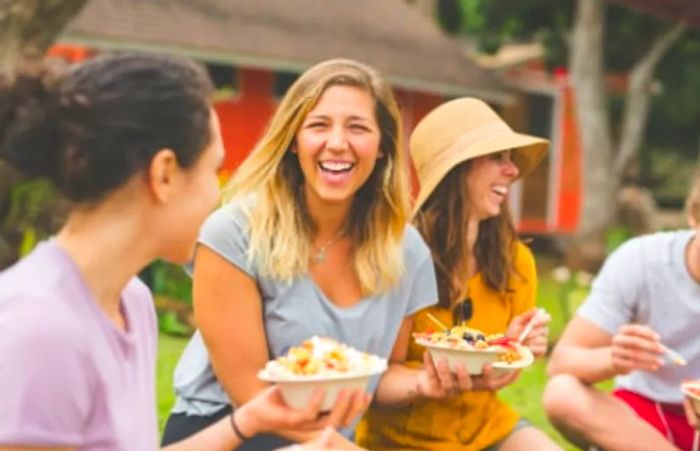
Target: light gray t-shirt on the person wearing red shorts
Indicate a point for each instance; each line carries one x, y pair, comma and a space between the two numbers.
646, 281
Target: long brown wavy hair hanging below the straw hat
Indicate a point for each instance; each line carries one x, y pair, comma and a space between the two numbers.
443, 221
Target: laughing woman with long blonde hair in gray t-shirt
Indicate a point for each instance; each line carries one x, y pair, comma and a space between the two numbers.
313, 240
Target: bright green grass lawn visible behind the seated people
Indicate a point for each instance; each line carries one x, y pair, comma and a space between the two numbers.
525, 395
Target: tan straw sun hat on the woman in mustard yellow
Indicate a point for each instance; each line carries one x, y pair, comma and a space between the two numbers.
460, 130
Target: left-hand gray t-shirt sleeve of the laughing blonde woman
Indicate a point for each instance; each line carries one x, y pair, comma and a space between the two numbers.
226, 233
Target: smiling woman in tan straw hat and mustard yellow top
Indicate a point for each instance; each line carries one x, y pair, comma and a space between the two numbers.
466, 158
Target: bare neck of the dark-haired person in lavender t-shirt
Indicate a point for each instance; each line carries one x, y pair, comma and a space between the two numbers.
108, 245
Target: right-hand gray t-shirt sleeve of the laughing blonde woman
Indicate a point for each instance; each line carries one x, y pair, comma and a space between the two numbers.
420, 275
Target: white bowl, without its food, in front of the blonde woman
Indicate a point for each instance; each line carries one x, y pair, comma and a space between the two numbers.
297, 391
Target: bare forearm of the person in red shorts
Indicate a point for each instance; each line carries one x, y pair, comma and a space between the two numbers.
590, 365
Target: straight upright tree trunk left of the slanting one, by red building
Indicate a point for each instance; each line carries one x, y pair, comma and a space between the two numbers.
587, 74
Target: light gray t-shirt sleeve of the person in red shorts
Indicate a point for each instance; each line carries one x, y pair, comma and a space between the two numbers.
615, 291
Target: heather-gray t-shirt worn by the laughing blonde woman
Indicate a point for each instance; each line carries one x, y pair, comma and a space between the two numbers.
298, 310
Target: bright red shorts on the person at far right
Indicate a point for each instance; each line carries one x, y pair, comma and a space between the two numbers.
669, 419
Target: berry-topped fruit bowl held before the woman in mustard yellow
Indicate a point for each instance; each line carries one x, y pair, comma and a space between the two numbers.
474, 349
